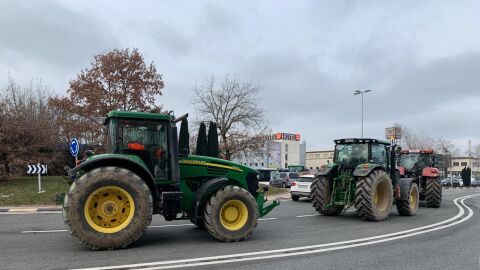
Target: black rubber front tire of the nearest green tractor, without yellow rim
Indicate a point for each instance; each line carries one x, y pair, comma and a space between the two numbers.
212, 215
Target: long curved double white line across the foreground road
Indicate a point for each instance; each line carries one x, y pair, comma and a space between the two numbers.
288, 252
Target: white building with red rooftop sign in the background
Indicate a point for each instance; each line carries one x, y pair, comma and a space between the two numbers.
280, 151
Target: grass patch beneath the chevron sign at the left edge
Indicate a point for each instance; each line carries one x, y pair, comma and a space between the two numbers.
24, 190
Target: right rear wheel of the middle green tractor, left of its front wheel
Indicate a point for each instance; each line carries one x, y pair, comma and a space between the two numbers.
377, 183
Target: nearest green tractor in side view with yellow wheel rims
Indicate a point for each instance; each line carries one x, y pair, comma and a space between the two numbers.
111, 203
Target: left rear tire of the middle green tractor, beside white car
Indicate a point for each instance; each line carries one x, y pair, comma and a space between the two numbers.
320, 196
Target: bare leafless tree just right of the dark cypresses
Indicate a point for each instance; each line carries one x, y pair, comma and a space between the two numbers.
234, 106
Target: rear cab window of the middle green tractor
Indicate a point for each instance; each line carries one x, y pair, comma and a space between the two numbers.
351, 155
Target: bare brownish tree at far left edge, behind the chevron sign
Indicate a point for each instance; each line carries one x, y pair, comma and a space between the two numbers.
27, 130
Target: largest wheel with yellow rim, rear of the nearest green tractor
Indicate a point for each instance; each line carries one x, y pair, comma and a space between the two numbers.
108, 208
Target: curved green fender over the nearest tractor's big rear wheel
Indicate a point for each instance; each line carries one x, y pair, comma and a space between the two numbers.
125, 163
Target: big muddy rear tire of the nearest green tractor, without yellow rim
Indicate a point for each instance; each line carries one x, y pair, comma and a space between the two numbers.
88, 184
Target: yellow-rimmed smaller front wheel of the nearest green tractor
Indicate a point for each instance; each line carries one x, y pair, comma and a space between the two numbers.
231, 214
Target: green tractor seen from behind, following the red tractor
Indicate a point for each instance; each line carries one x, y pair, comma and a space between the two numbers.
363, 174
